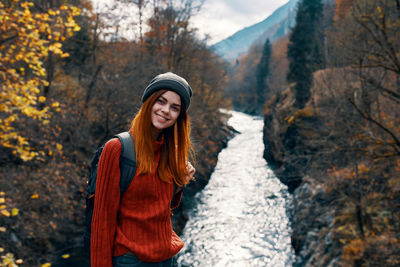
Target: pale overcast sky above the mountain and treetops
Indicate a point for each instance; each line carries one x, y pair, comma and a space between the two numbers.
221, 18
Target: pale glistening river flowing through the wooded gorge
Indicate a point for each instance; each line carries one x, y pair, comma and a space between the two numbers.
240, 217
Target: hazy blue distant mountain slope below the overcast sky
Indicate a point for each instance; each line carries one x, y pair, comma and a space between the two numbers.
276, 25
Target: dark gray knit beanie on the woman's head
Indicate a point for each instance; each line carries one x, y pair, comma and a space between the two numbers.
169, 81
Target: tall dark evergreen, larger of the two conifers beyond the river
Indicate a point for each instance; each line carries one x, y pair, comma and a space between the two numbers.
304, 51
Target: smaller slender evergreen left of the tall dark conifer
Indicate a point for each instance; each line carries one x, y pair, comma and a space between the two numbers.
262, 73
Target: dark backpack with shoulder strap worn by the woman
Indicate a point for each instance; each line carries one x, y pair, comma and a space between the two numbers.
127, 165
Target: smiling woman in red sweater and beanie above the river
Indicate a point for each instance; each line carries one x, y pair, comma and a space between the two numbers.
136, 229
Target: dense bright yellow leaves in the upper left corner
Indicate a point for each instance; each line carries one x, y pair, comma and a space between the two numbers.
26, 40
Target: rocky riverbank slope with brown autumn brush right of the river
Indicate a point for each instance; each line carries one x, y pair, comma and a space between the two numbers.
345, 193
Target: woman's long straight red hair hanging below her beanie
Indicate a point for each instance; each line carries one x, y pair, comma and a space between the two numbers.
176, 150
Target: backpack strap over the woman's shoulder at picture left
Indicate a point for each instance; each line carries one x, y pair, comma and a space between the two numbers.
127, 163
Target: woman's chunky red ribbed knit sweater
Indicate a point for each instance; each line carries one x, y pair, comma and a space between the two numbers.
140, 222
